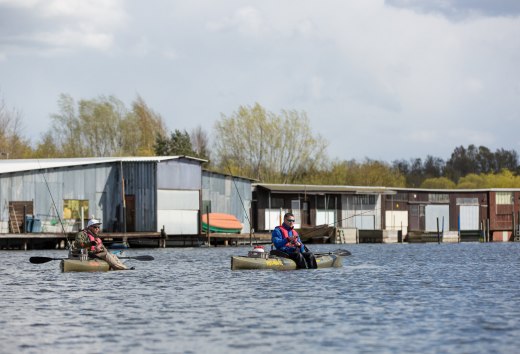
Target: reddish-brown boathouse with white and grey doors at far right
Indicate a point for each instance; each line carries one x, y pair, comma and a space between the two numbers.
456, 214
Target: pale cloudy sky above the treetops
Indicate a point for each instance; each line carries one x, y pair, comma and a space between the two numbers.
383, 80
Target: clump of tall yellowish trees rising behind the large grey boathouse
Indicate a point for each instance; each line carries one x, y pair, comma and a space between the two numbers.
101, 127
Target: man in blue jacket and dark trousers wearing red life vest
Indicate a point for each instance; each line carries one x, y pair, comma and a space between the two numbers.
287, 240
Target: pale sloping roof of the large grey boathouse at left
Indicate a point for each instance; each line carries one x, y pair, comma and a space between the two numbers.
10, 166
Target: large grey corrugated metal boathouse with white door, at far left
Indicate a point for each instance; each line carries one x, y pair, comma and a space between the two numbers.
128, 194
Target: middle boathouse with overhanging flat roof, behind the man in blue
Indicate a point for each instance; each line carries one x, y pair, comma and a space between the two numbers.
352, 209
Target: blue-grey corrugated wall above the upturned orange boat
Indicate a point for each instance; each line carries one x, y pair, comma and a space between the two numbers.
221, 190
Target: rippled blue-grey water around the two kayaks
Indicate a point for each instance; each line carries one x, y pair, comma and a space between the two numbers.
428, 298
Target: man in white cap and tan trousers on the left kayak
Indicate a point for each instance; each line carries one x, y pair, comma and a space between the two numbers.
88, 238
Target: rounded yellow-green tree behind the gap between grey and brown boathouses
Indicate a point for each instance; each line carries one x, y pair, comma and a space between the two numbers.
268, 147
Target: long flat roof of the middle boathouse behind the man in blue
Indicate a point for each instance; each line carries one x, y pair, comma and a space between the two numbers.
320, 189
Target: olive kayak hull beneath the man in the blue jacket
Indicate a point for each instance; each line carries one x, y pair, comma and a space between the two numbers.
281, 263
